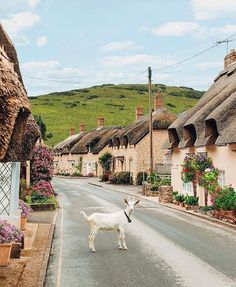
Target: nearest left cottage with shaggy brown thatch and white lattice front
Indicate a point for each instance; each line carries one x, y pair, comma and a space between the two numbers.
18, 130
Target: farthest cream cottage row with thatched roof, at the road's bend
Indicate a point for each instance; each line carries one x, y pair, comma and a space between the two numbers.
80, 152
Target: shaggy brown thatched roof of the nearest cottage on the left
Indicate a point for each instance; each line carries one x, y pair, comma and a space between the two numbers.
16, 126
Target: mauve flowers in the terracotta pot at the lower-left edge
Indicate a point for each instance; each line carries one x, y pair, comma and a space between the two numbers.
9, 233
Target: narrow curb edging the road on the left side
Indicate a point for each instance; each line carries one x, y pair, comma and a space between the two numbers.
43, 269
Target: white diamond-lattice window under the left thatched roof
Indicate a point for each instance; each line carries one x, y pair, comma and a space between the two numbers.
5, 187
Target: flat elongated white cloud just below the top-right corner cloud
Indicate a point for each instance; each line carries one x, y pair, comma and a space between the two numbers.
173, 28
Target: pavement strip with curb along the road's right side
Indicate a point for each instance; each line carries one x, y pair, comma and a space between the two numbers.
134, 190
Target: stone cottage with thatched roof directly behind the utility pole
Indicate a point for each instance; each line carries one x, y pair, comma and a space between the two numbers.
131, 146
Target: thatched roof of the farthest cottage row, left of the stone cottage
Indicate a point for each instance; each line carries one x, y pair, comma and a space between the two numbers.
91, 141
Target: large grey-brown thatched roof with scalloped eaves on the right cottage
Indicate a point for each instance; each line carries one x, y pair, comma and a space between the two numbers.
213, 119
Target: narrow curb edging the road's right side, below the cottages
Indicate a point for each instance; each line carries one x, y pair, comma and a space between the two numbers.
204, 217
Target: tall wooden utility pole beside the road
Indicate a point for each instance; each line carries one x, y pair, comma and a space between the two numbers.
150, 117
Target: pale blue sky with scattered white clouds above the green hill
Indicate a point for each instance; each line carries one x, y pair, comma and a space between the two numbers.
65, 45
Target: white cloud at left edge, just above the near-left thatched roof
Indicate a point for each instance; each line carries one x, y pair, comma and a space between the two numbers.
20, 22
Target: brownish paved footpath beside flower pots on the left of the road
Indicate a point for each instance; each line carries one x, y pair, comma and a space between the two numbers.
30, 269
